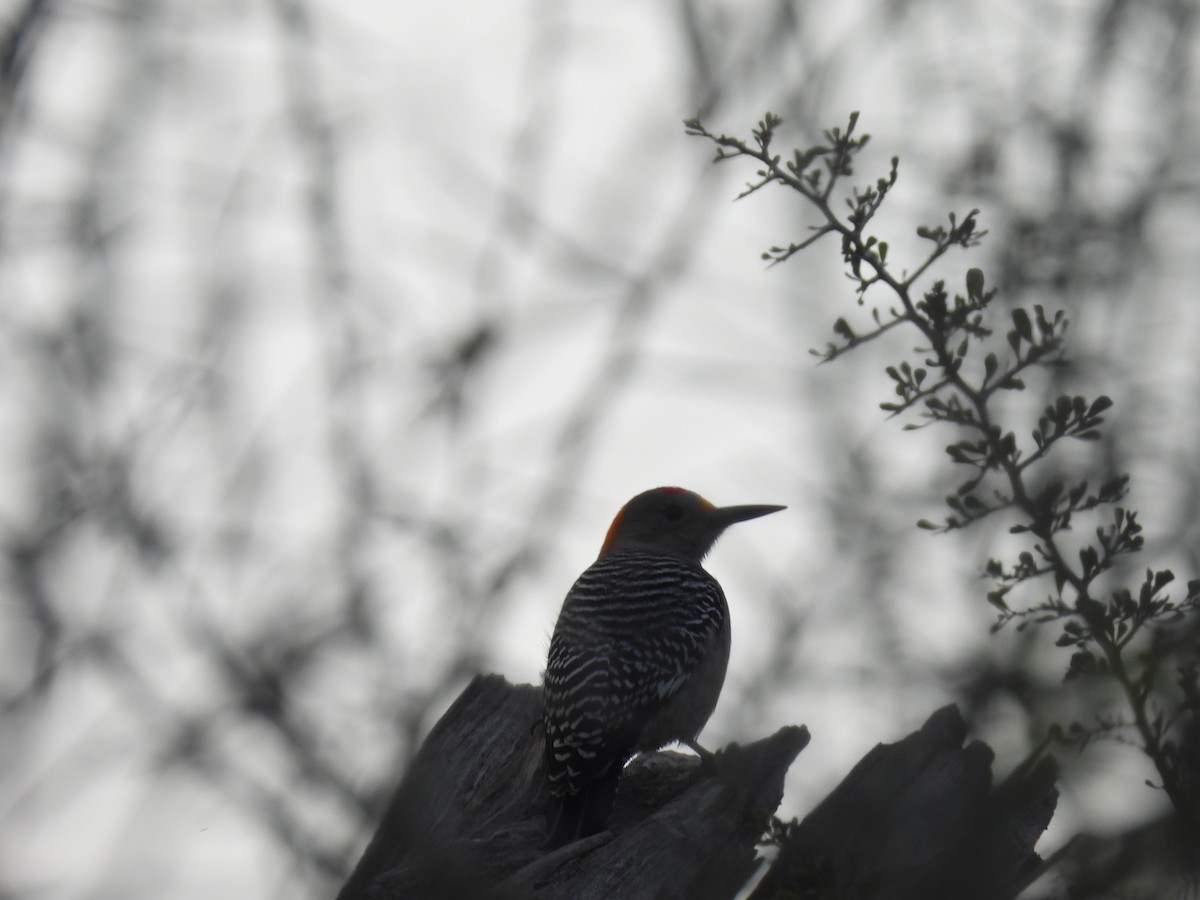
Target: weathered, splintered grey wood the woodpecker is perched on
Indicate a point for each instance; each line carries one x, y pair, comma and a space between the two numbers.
469, 819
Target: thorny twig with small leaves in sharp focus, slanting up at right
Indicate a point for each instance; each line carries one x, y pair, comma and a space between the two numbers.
1121, 635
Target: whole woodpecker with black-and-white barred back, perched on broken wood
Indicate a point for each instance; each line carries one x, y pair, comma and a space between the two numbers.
639, 653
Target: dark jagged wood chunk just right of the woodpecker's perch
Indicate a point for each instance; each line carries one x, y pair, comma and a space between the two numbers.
920, 819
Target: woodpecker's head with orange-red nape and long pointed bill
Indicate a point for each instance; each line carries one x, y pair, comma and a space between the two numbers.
675, 521
